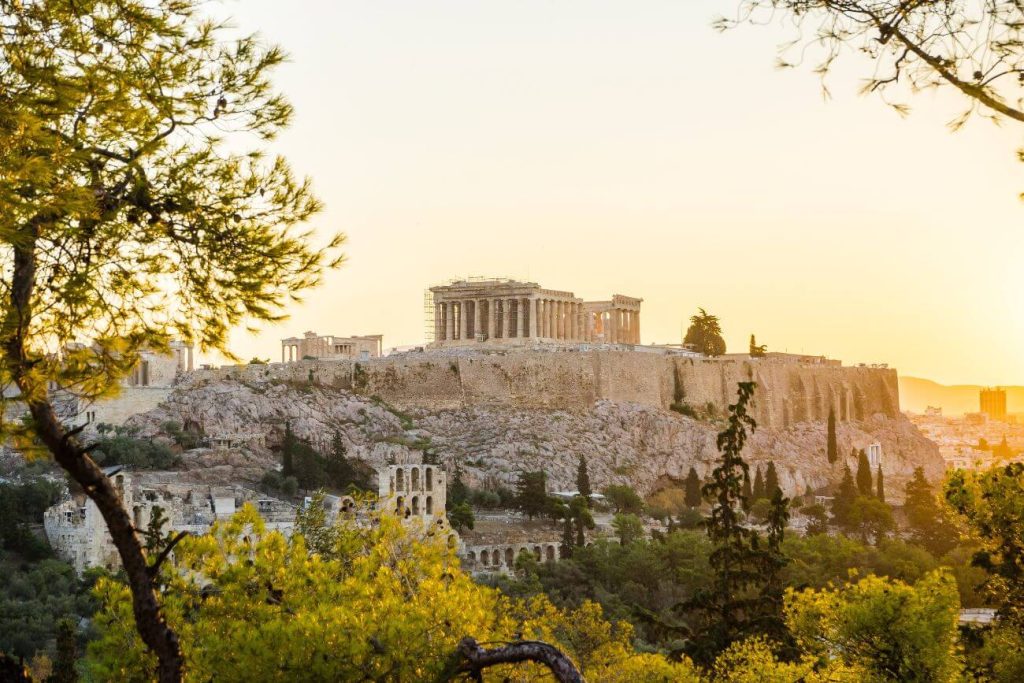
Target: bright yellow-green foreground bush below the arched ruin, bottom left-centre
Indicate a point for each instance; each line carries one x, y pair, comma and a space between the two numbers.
250, 605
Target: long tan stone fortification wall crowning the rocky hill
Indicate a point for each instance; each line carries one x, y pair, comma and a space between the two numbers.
789, 394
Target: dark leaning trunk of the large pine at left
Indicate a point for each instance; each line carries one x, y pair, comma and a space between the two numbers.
69, 453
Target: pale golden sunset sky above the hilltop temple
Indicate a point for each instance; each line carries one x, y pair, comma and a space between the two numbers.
627, 148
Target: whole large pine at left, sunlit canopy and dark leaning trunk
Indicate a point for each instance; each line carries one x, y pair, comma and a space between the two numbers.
138, 205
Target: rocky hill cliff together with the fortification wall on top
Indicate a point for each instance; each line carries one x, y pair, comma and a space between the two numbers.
498, 415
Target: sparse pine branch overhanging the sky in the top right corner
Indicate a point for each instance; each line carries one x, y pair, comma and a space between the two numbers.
972, 49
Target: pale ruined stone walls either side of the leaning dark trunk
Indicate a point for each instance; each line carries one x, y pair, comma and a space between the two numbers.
78, 534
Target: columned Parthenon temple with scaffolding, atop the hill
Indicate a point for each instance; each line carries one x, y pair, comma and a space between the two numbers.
508, 312
